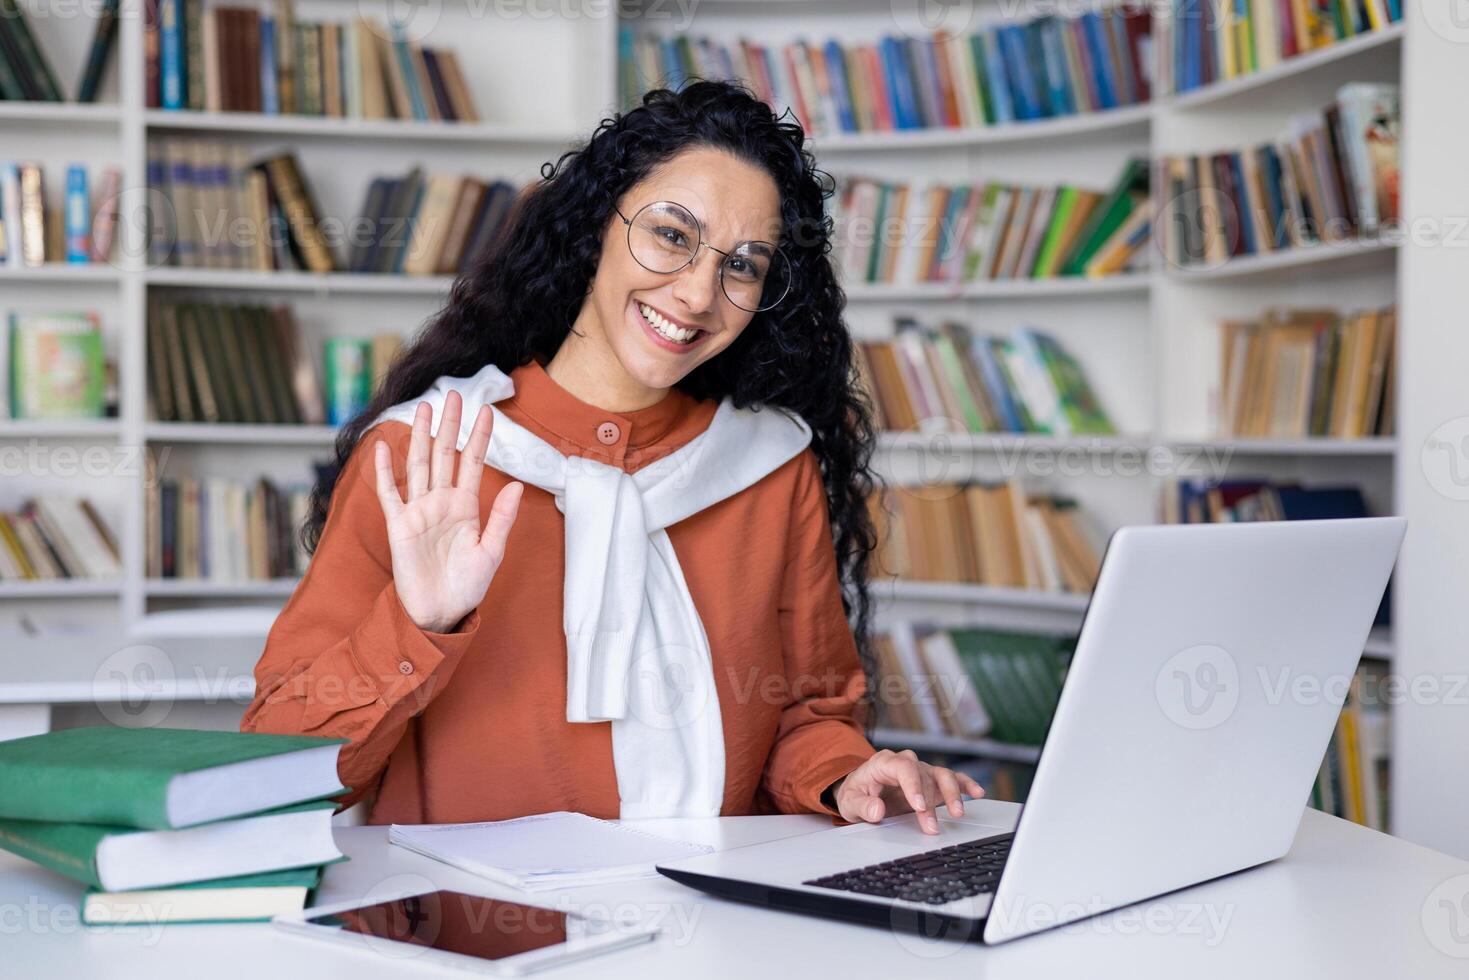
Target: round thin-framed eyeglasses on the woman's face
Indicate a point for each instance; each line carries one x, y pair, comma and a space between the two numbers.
665, 237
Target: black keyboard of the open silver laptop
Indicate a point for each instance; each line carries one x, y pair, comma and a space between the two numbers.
934, 878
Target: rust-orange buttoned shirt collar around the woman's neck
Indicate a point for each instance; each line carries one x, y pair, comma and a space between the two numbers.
628, 440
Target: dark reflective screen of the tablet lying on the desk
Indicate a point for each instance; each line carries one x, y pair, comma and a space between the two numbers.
455, 922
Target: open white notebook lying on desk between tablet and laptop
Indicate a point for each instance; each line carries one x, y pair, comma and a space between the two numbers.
544, 851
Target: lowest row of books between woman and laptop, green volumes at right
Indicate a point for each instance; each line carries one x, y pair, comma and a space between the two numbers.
969, 682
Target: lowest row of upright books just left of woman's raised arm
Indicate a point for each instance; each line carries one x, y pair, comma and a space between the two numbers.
217, 530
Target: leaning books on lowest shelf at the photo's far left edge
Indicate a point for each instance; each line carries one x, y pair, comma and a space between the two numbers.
57, 538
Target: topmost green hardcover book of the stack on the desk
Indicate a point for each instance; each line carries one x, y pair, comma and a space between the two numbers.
161, 778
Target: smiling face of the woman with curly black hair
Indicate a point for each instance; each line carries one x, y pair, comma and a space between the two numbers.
734, 202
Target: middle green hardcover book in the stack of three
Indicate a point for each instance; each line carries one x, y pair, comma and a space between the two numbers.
124, 859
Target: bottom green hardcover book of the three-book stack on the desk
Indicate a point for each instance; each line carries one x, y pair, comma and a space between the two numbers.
243, 898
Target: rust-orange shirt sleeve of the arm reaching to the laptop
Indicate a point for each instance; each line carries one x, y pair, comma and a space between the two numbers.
820, 737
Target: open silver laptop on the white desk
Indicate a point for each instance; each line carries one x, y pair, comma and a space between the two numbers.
1205, 687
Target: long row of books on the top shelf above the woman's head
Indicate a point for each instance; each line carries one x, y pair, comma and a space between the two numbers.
1044, 68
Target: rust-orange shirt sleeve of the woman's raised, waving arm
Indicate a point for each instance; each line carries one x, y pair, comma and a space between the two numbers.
344, 659
